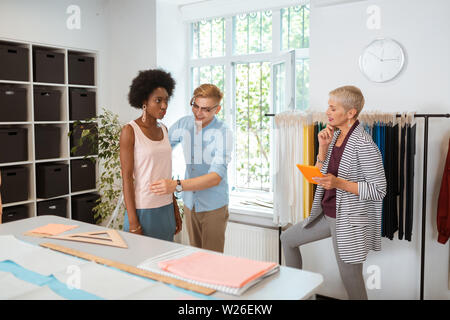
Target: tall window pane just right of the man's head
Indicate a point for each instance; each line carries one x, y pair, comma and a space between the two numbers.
252, 132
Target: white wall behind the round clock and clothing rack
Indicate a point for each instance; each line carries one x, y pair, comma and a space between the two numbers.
338, 35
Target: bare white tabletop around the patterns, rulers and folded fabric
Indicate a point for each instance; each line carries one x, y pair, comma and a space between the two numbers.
287, 284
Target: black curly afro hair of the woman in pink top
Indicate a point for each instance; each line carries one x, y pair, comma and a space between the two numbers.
146, 82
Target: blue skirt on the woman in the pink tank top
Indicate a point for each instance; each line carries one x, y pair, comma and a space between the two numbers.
156, 222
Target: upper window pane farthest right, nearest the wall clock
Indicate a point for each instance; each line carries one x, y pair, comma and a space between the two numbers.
295, 27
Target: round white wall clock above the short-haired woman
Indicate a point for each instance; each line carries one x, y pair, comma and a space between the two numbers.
382, 60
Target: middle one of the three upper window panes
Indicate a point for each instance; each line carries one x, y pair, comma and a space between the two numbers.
252, 32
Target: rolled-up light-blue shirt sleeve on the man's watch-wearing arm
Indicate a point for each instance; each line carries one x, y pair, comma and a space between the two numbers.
222, 153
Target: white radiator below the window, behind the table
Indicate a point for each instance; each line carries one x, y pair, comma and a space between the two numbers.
245, 241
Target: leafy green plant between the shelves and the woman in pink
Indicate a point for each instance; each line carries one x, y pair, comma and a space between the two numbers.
103, 138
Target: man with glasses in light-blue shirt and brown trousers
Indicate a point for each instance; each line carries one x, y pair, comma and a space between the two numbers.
207, 144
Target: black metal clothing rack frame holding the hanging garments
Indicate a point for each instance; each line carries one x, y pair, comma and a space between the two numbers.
426, 117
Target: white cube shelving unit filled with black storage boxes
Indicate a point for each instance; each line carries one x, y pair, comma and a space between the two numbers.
46, 75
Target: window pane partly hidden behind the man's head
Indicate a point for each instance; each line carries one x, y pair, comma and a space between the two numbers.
214, 75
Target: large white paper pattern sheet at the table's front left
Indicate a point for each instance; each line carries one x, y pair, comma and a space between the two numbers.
98, 280
